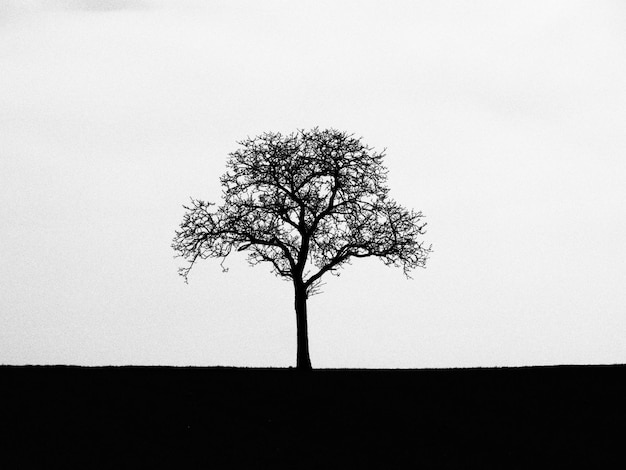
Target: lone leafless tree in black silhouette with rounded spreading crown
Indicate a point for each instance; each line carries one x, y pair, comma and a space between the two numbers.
308, 200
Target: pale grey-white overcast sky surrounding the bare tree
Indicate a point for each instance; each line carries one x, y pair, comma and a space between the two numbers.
503, 123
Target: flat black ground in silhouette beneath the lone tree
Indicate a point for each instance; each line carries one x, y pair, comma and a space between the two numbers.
137, 417
